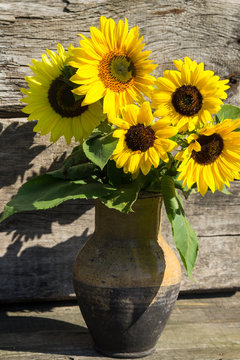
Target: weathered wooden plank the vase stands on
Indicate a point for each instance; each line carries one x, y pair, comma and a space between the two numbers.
199, 328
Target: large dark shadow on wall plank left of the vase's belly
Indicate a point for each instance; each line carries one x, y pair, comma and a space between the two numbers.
38, 271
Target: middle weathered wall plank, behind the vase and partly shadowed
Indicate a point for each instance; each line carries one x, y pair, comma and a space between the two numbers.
38, 249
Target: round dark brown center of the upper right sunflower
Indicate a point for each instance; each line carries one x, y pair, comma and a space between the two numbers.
187, 100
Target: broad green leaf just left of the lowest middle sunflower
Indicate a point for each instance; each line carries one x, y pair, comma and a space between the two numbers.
100, 145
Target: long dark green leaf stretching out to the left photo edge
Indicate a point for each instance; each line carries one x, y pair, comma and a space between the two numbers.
46, 191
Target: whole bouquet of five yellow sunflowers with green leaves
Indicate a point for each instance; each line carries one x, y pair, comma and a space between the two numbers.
134, 132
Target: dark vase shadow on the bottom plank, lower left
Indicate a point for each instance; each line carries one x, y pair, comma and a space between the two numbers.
43, 335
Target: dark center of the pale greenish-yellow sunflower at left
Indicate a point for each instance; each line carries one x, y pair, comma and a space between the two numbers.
62, 99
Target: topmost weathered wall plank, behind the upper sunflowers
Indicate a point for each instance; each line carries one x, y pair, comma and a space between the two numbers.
207, 31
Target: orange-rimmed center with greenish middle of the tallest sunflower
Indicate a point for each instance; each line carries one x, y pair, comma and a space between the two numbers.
117, 71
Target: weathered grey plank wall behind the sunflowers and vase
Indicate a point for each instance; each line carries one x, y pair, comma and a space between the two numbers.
37, 249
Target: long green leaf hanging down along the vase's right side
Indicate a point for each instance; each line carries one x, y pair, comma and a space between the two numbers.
184, 236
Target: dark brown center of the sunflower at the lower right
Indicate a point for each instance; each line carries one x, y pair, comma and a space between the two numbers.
211, 148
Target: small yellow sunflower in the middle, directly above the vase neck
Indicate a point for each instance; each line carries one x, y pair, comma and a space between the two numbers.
141, 143
